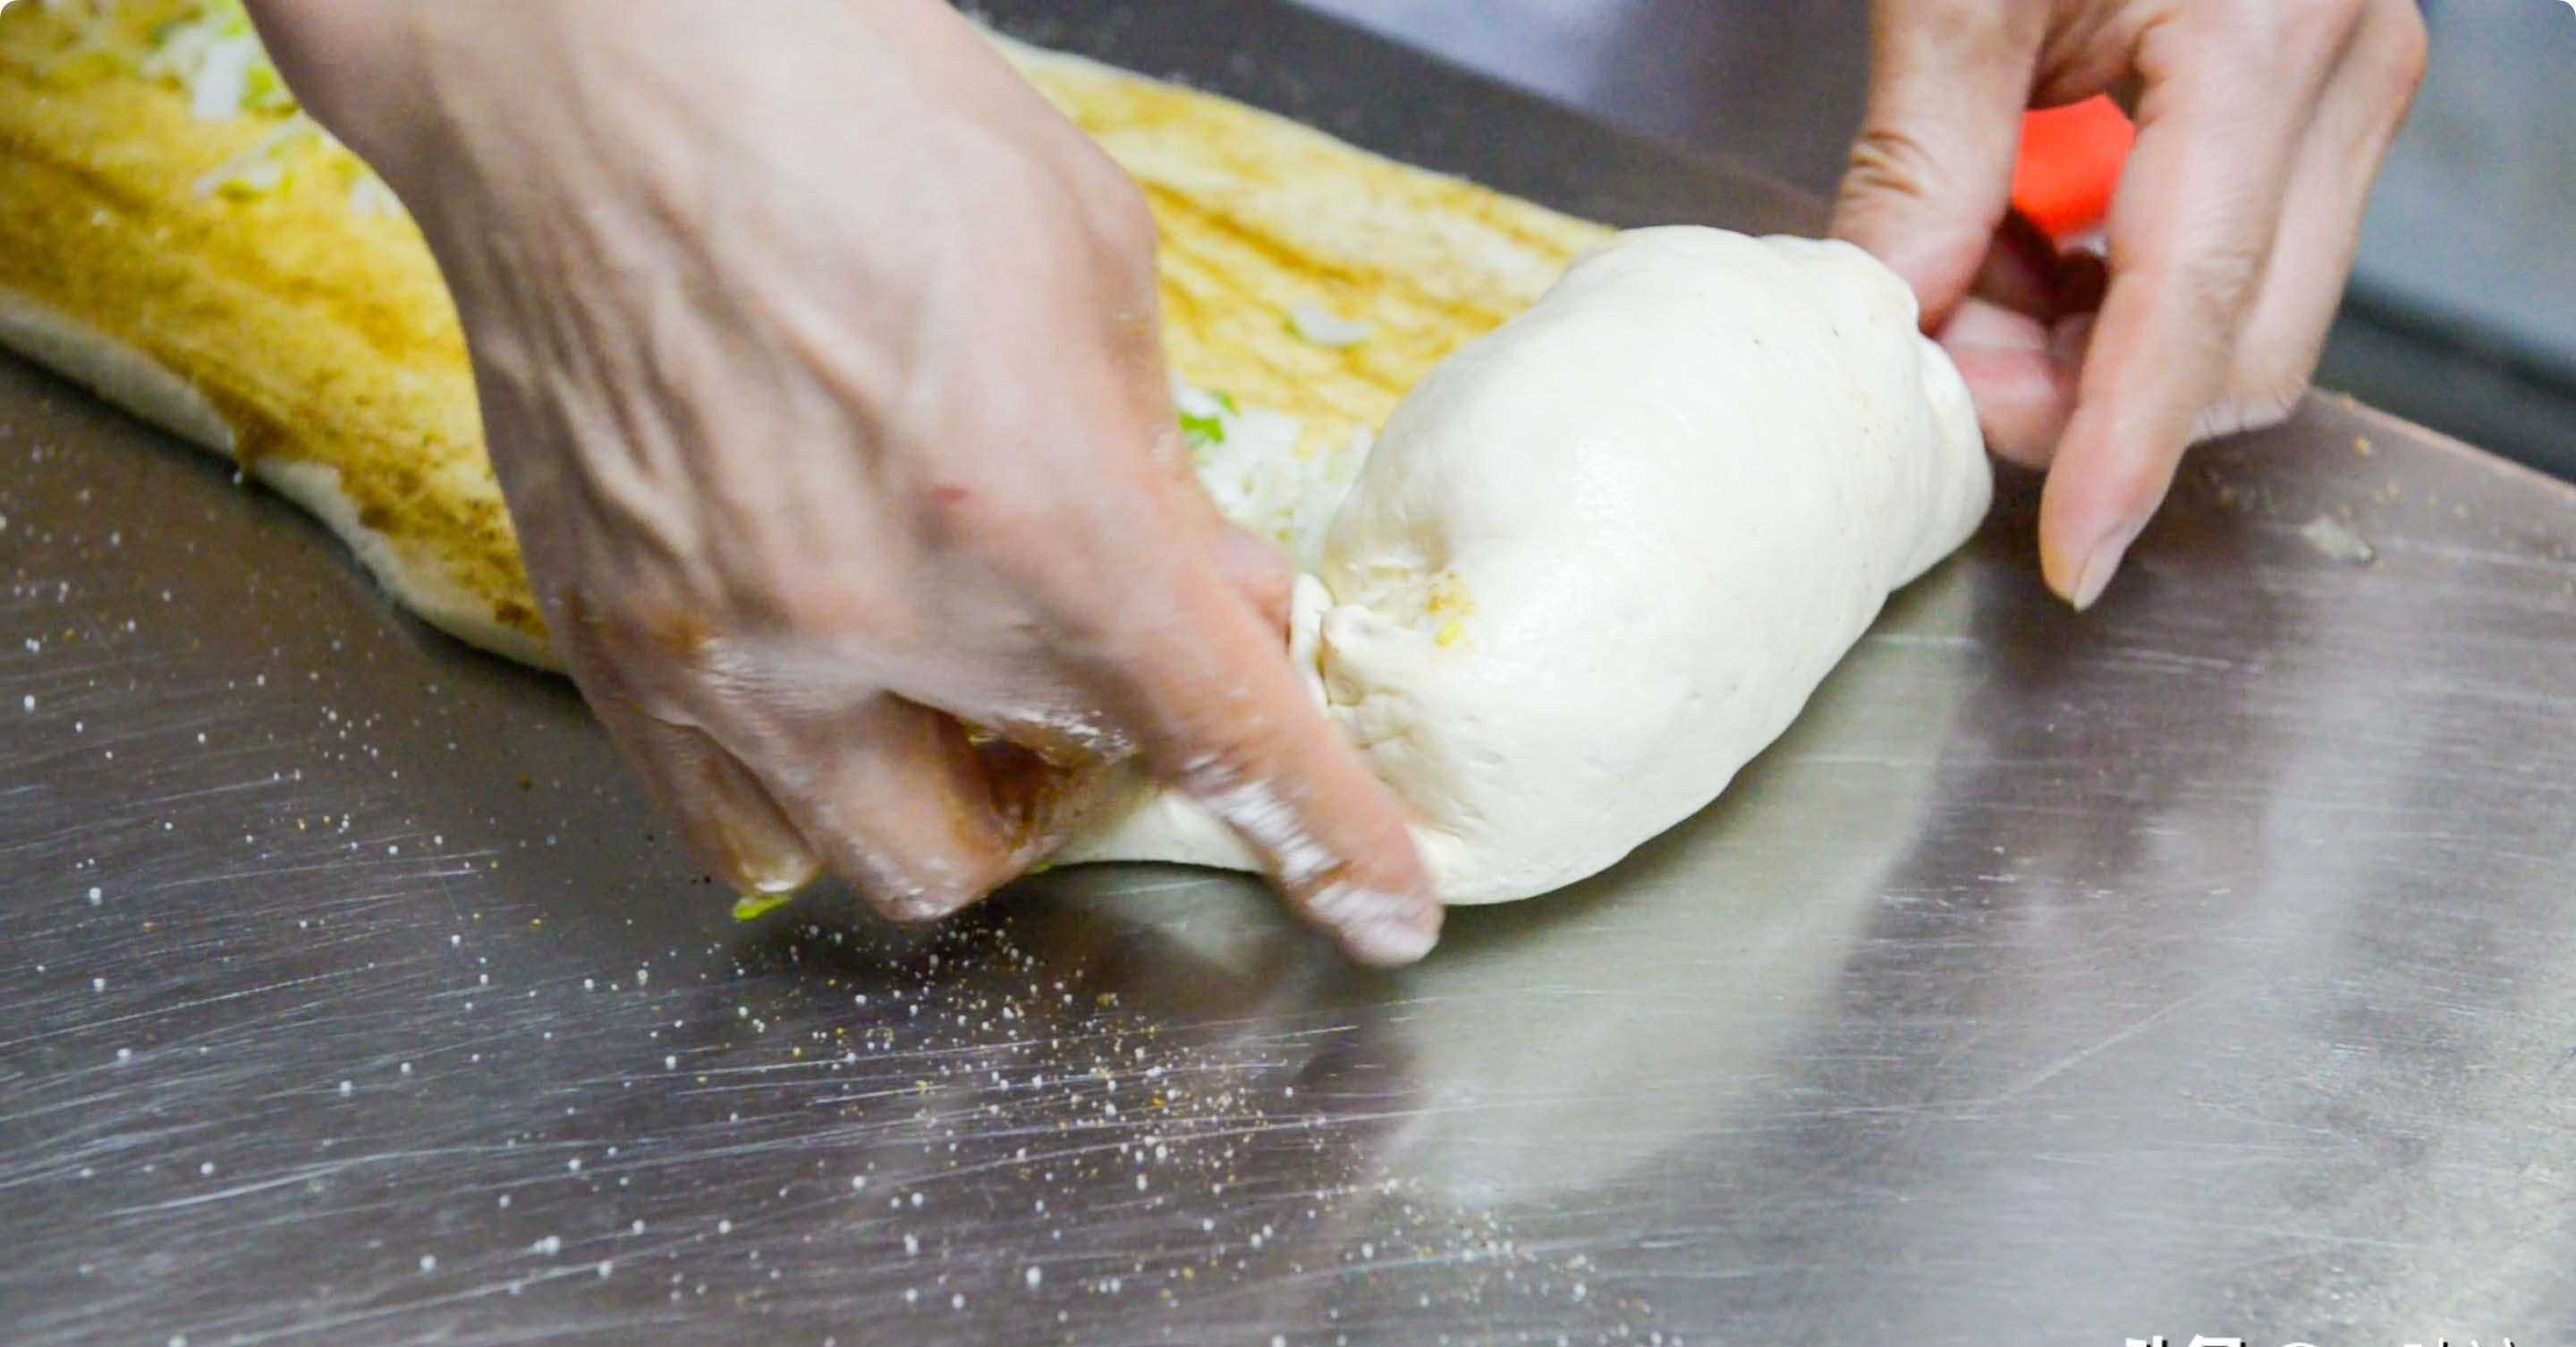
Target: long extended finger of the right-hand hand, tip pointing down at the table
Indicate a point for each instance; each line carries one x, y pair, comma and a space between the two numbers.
2191, 233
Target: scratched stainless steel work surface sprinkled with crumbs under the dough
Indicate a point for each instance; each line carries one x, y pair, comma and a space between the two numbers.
2199, 967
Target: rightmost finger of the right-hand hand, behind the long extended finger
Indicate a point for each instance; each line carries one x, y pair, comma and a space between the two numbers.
2322, 218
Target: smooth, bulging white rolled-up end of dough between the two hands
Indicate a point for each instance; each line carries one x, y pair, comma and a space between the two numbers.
1601, 558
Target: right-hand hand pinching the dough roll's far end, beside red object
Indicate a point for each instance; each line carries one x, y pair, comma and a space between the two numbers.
2260, 127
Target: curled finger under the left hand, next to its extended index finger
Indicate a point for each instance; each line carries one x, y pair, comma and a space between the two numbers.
898, 802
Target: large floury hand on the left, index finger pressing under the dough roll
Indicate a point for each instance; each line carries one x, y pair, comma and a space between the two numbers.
823, 372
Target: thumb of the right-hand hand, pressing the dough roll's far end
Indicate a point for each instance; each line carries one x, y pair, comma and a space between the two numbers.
1931, 171
